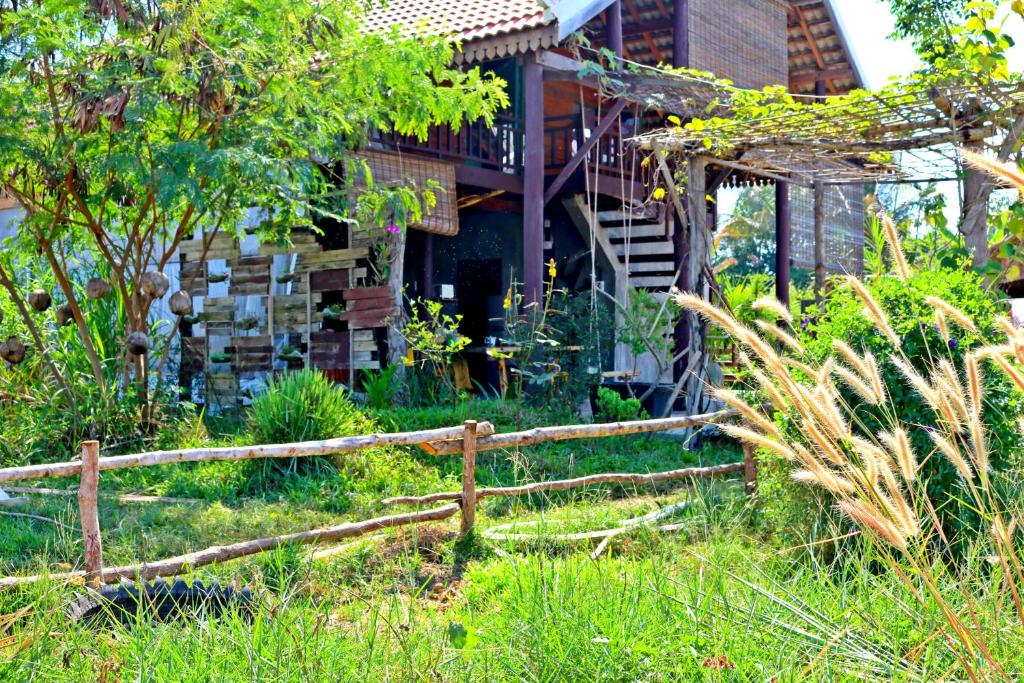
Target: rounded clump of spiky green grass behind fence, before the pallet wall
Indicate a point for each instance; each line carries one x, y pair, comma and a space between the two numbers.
304, 406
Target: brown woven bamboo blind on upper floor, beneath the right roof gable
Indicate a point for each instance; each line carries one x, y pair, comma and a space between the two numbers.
742, 40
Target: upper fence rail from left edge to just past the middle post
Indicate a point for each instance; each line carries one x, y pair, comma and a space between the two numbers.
305, 449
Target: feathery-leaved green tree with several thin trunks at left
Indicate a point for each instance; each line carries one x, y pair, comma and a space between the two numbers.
131, 126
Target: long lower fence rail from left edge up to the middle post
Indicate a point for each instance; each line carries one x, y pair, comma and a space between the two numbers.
188, 563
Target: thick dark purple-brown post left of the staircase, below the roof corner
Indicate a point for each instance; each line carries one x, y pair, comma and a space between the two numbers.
533, 214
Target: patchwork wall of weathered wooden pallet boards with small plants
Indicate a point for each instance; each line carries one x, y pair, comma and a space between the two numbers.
261, 310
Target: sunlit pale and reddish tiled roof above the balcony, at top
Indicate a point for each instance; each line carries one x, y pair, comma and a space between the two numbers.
466, 20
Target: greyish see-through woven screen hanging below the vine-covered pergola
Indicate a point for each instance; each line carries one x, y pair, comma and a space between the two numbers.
844, 228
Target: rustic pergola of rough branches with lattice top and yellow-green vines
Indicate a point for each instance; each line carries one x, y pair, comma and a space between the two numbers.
814, 142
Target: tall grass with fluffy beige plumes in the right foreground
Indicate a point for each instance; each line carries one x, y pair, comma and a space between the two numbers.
874, 476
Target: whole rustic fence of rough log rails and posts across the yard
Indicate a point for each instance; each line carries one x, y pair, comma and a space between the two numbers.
470, 440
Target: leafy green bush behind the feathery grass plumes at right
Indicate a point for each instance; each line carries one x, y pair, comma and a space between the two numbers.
913, 319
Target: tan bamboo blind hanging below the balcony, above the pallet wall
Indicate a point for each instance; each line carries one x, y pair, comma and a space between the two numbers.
395, 168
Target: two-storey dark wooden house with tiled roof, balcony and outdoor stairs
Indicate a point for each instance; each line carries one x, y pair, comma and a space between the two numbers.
552, 179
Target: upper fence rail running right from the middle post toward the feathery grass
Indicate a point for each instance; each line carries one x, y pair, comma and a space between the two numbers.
544, 435
